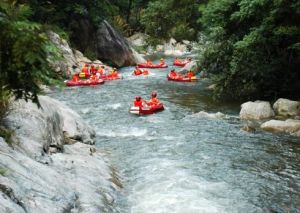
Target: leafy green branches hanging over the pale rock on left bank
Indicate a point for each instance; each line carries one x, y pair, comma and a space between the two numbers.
24, 48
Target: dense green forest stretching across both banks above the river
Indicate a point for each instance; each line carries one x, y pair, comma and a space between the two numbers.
250, 48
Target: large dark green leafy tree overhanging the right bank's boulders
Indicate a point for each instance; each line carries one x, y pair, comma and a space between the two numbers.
252, 47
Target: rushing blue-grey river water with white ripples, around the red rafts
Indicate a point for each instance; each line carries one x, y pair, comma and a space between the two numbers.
180, 160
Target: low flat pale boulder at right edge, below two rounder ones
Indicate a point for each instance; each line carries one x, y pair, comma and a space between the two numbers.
289, 126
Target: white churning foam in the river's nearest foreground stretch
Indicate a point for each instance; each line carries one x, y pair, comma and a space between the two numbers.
166, 186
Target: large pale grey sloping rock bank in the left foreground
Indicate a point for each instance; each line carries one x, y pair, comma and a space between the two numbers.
51, 164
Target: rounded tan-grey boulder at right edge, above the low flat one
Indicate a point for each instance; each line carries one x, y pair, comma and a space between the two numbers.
286, 107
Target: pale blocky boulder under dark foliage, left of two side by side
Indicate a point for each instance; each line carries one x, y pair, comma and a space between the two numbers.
256, 110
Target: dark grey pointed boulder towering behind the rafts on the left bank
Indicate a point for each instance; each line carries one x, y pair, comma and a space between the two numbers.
111, 46
